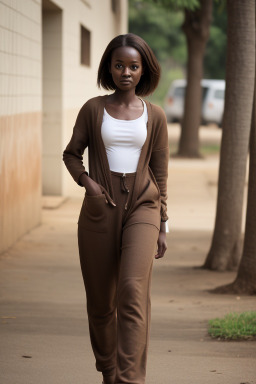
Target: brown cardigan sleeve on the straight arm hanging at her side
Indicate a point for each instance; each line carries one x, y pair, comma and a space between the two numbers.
160, 158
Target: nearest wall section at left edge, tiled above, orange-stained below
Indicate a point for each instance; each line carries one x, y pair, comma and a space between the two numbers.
20, 118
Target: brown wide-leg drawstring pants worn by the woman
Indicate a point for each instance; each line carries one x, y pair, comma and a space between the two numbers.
116, 255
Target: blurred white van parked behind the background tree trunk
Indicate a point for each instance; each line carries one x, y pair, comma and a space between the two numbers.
213, 93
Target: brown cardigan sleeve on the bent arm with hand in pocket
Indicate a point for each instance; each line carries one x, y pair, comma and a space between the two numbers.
73, 154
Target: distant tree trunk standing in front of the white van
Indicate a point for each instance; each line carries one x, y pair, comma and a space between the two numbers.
196, 28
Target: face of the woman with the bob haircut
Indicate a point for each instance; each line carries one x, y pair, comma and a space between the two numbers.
126, 68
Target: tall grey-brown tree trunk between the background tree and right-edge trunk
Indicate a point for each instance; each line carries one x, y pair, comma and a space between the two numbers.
225, 252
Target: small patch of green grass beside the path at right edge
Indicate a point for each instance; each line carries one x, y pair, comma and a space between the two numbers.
234, 326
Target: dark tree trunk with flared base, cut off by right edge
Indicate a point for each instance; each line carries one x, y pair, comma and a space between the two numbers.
245, 283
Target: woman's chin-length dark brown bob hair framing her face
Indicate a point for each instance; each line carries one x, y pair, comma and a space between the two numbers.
151, 68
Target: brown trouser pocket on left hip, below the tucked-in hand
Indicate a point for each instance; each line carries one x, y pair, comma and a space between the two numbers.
93, 215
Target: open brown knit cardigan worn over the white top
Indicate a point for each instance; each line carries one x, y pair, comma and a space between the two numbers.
154, 154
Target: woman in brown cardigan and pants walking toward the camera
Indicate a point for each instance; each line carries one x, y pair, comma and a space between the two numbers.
124, 210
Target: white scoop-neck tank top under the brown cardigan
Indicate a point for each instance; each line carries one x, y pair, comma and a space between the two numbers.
123, 140
